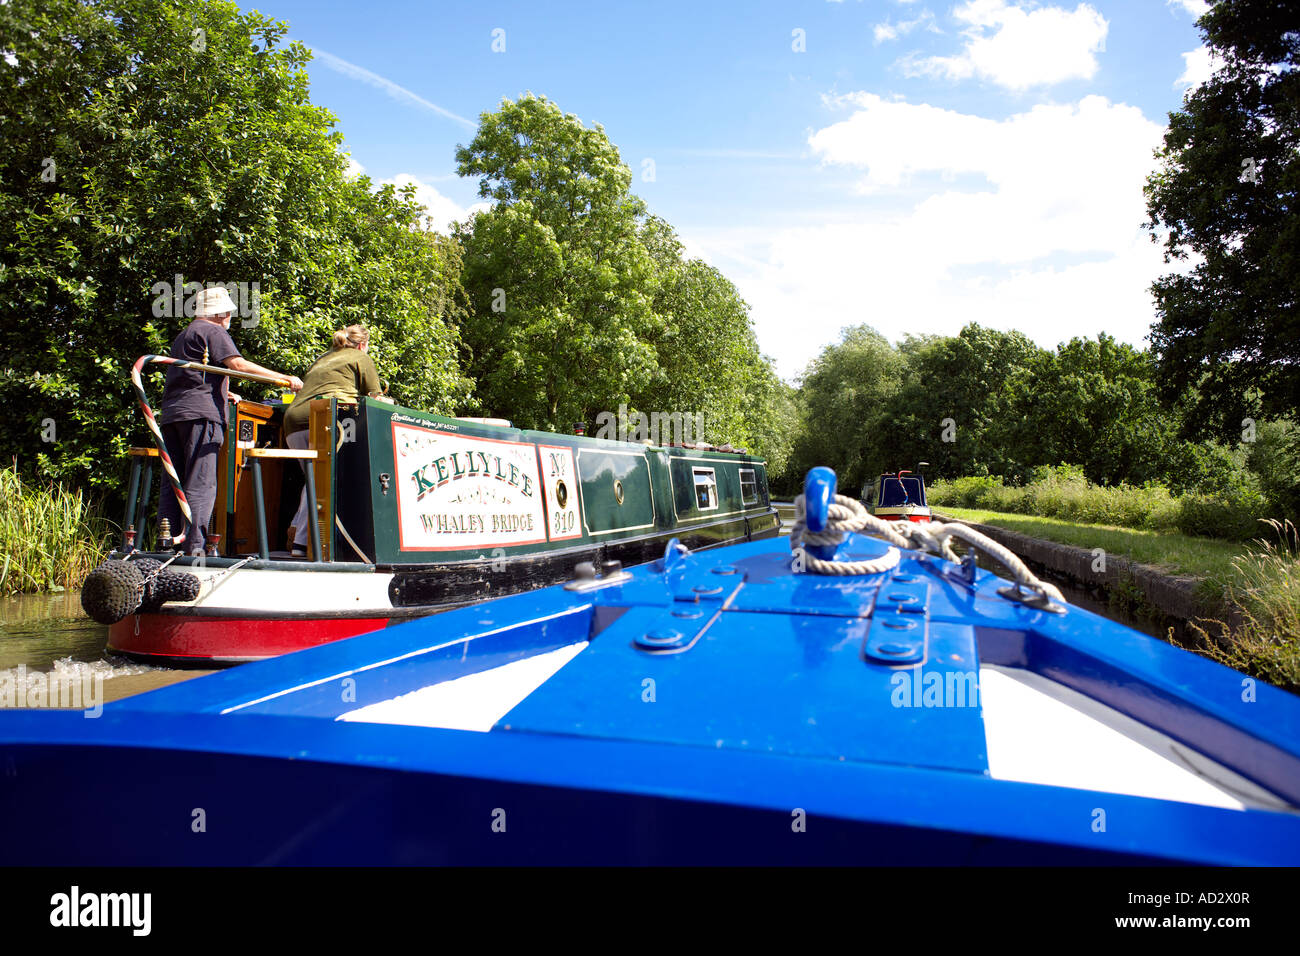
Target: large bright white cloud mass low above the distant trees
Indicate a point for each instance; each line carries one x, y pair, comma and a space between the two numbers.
1050, 244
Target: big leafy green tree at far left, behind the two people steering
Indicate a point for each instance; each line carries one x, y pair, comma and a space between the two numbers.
153, 139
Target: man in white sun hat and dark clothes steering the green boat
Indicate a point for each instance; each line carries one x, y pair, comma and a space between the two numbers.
194, 412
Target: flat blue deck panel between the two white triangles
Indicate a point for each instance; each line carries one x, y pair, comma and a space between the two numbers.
766, 684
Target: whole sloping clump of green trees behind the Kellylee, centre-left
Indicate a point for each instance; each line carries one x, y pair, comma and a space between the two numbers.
583, 302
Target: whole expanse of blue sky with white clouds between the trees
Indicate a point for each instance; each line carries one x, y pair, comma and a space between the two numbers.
908, 165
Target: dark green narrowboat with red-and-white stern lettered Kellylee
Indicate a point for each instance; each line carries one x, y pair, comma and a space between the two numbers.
414, 514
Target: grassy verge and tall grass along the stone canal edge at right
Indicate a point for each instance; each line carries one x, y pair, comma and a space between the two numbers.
1260, 581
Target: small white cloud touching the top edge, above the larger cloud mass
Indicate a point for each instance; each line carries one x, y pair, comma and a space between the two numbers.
1020, 47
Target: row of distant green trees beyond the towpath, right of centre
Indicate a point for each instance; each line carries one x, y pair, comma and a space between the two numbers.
987, 403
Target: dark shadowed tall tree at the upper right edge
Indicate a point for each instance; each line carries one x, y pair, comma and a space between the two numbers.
1225, 202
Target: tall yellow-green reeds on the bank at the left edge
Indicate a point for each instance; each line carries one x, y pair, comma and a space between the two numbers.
50, 538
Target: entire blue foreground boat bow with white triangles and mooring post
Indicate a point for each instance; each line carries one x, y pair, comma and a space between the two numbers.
855, 703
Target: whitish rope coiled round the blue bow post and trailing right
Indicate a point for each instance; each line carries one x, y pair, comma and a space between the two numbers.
847, 516
